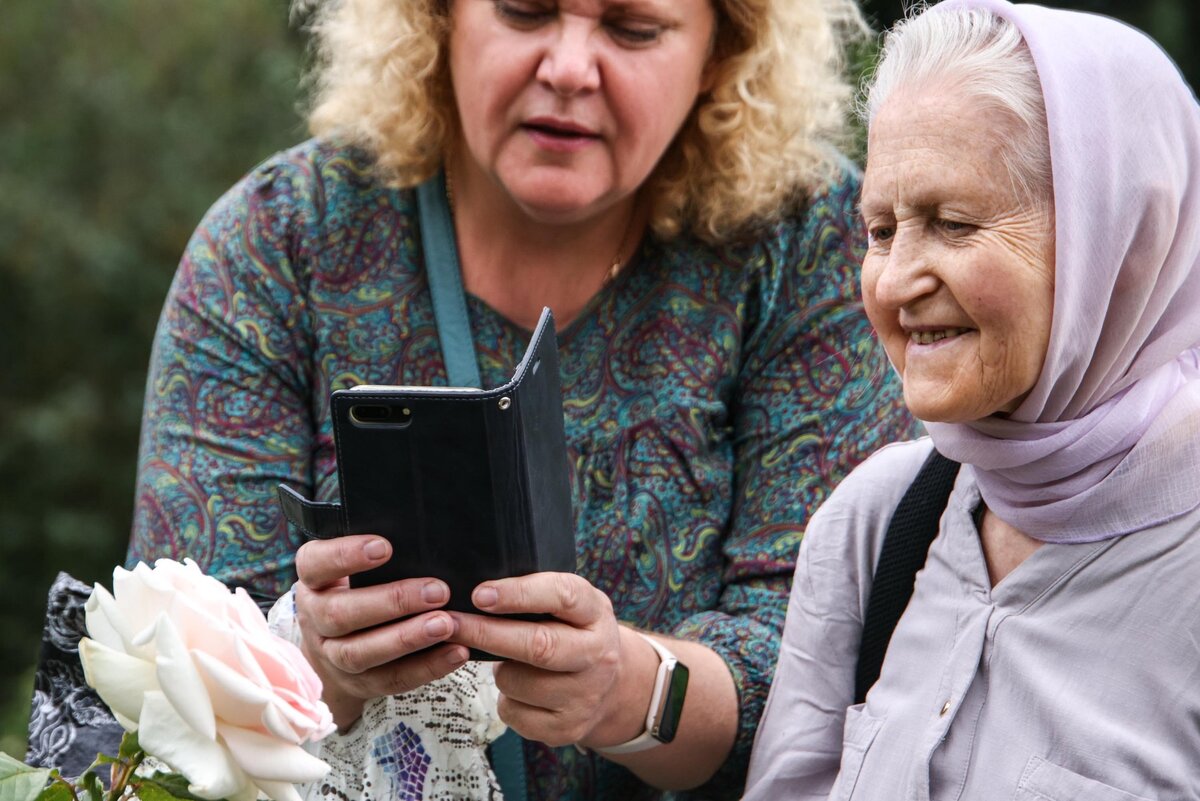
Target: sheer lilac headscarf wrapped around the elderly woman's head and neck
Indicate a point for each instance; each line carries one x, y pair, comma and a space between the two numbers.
1108, 442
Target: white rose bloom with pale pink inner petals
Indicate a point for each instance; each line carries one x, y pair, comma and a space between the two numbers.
194, 670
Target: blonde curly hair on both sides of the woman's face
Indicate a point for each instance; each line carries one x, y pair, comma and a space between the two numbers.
753, 147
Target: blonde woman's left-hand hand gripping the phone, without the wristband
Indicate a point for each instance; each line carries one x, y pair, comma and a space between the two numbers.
371, 641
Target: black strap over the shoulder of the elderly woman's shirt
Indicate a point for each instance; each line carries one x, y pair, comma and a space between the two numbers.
905, 546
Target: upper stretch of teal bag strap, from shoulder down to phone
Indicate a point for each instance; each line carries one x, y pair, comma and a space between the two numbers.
446, 284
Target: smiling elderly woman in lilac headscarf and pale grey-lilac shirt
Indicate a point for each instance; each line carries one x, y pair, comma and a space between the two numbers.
1034, 210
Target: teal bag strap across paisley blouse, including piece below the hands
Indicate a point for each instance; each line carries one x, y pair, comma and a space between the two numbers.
459, 354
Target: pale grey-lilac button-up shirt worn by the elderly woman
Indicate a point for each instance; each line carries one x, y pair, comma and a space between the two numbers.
1077, 677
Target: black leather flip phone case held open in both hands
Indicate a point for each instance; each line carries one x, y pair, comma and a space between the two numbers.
469, 485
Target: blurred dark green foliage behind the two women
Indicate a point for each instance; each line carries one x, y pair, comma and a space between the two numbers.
121, 123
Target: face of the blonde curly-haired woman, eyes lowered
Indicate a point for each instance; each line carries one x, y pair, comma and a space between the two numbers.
568, 105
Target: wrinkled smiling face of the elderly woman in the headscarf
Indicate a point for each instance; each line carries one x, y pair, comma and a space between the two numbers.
959, 274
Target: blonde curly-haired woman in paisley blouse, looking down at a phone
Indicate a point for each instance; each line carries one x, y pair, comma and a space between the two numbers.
661, 176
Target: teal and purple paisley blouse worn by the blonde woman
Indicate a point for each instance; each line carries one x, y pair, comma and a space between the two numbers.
712, 398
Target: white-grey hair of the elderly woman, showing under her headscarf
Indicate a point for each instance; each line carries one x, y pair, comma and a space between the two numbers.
985, 57
